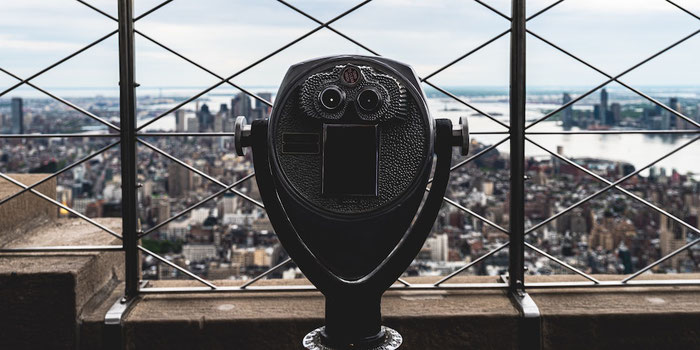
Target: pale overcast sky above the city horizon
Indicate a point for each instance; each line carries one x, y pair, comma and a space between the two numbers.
225, 36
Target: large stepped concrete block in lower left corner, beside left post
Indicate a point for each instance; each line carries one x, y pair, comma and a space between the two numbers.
42, 294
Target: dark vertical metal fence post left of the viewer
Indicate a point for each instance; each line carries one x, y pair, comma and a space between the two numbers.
127, 115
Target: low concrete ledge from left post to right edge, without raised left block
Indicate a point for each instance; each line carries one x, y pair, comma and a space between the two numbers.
599, 318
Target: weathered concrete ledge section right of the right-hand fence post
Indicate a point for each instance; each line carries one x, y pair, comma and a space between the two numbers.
620, 318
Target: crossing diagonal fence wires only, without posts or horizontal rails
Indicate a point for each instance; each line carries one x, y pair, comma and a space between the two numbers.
327, 25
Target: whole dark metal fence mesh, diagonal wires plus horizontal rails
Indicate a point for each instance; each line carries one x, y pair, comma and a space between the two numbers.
517, 134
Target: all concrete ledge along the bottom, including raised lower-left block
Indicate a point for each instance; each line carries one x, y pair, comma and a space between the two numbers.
59, 301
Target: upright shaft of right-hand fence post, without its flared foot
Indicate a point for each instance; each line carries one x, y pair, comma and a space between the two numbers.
517, 146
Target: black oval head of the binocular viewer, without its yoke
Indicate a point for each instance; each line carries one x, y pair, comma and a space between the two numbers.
373, 222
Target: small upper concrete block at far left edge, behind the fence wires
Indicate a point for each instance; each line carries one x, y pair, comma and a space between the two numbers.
26, 211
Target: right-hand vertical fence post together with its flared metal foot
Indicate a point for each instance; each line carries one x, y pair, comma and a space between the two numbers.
529, 327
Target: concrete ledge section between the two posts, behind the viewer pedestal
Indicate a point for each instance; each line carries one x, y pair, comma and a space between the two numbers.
427, 320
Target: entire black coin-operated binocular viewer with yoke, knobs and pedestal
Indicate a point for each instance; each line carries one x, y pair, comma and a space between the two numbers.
342, 166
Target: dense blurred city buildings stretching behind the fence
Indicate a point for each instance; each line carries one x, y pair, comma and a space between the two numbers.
230, 237
